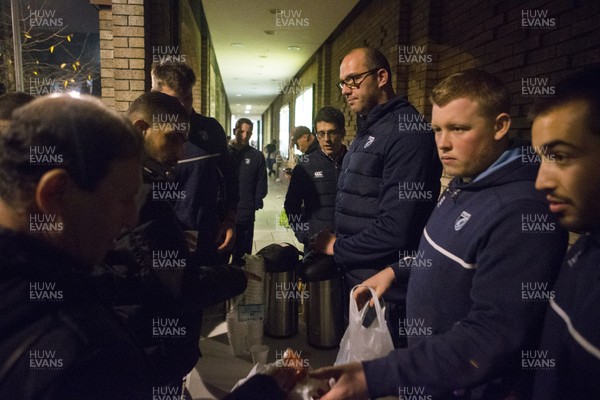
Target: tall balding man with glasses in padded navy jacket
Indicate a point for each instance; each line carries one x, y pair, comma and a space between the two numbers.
390, 178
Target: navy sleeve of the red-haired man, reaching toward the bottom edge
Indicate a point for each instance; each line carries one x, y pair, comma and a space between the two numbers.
500, 322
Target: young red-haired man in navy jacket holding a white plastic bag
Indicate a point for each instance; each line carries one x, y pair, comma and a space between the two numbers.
480, 282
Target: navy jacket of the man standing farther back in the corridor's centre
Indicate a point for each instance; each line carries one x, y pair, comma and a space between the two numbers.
252, 173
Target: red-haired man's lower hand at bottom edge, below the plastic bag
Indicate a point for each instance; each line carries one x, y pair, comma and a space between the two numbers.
350, 381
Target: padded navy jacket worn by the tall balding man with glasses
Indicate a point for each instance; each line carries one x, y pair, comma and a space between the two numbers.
373, 222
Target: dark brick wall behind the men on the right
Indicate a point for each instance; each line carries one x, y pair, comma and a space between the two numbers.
462, 34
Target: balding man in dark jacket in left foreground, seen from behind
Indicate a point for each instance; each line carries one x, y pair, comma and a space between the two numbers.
69, 175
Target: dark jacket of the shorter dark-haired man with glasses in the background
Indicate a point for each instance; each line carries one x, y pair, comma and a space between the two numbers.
310, 199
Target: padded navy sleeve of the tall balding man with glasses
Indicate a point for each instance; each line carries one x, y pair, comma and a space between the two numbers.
409, 159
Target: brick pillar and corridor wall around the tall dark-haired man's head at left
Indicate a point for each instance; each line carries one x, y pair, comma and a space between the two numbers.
129, 41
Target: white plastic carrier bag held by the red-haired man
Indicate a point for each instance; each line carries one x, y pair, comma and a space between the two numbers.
360, 343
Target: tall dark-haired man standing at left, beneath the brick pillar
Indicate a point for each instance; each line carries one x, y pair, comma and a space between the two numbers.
209, 209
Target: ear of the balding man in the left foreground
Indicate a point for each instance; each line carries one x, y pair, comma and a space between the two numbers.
53, 190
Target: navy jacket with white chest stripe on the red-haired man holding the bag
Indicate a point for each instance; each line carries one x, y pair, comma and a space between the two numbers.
470, 312
